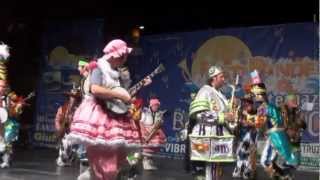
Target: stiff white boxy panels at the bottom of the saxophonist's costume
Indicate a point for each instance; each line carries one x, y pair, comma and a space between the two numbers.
211, 148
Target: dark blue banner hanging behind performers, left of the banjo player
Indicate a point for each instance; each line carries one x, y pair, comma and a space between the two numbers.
63, 44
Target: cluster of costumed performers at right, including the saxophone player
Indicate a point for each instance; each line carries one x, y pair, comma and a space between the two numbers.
237, 124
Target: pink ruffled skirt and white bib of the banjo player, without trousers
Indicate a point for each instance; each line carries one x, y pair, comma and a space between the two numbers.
93, 124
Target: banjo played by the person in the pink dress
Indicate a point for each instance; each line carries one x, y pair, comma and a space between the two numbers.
119, 107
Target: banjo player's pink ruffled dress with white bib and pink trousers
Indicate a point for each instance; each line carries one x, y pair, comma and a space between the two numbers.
108, 137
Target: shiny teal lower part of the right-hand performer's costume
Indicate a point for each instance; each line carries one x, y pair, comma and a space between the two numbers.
280, 142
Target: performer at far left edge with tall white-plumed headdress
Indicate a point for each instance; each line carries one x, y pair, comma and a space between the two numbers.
11, 108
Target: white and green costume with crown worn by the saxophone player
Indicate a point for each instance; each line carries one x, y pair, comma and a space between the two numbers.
210, 140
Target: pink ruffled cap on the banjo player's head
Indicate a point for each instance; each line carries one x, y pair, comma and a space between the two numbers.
116, 48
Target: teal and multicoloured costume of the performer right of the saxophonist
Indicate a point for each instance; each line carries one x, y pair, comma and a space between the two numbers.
278, 157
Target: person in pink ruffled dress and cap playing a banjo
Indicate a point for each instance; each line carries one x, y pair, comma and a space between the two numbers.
108, 136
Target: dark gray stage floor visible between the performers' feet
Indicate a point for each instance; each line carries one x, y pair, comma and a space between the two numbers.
40, 164
